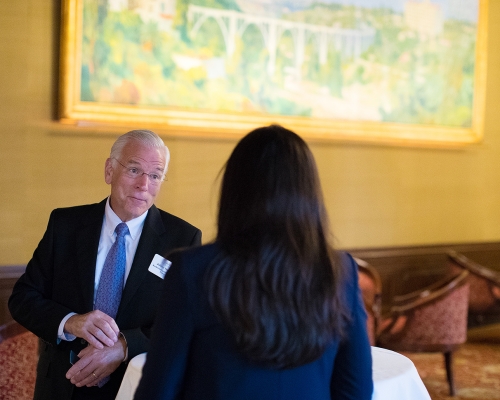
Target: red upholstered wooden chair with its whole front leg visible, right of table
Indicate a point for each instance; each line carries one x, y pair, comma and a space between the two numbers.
433, 319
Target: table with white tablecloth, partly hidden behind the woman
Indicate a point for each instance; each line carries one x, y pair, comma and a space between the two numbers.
394, 377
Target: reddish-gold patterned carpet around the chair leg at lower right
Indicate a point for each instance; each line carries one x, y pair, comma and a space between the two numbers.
476, 370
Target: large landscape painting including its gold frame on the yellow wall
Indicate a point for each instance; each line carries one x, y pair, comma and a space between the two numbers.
409, 72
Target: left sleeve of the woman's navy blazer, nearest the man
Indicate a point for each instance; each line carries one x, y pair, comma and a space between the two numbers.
172, 333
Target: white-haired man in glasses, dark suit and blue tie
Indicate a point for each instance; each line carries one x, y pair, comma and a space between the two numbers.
91, 290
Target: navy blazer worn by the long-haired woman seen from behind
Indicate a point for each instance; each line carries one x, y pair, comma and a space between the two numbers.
193, 356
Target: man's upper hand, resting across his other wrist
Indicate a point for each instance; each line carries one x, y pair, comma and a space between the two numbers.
97, 328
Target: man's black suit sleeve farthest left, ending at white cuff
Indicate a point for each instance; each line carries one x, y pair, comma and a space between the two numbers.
30, 302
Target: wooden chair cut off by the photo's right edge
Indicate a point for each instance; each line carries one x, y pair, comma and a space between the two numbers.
484, 298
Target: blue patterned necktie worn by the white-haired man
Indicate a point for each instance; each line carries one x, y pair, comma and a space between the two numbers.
109, 291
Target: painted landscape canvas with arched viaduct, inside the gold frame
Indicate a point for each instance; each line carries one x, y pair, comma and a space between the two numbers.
390, 61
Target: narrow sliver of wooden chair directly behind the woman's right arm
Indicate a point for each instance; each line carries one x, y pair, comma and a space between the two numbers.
371, 288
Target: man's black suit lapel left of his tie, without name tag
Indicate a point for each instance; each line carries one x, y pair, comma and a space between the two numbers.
87, 246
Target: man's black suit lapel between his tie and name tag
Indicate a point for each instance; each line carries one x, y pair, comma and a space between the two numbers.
149, 243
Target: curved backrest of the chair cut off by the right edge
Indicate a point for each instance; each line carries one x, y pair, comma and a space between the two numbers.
484, 283
